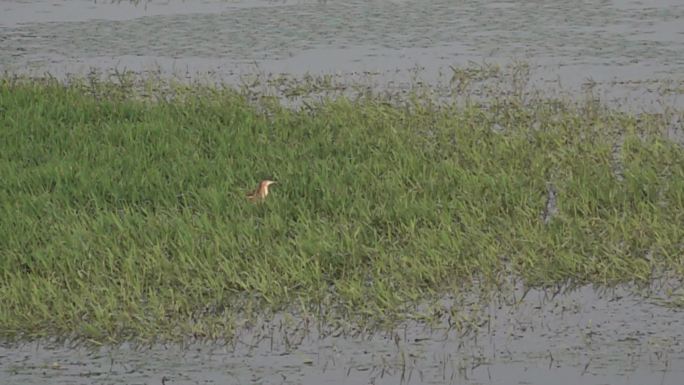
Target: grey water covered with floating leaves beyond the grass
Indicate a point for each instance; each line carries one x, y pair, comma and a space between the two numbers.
630, 45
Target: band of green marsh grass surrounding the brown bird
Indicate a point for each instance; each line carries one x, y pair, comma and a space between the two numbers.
122, 217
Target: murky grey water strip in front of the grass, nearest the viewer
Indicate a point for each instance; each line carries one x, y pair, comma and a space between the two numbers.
581, 337
